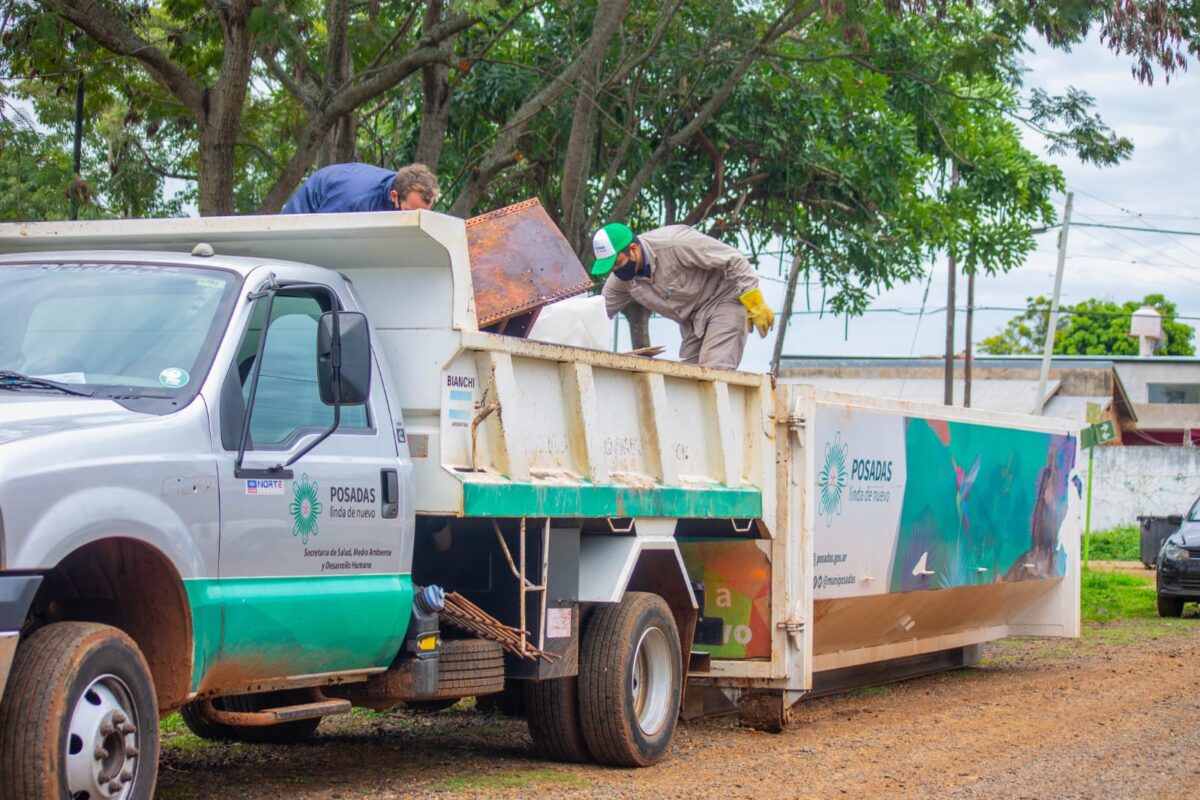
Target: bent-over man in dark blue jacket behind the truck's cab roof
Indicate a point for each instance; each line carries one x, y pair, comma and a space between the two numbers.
363, 188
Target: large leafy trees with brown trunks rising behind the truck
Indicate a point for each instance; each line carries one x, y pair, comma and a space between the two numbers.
825, 130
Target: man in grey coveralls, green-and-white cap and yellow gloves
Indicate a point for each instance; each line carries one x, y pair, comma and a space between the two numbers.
705, 286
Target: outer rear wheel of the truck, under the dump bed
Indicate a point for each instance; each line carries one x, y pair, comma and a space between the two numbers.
631, 681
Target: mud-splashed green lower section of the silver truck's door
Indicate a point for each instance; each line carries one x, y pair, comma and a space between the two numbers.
249, 629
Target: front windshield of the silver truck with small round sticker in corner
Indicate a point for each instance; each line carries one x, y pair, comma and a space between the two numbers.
118, 329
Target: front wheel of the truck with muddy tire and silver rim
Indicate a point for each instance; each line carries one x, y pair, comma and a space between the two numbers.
80, 717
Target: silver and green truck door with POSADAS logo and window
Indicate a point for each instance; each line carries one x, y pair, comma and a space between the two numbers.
311, 556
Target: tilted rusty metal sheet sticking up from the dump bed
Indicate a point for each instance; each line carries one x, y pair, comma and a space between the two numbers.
520, 262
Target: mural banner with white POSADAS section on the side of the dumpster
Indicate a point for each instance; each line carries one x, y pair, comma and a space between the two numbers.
931, 504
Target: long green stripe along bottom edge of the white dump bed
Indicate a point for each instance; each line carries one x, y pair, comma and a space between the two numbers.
608, 501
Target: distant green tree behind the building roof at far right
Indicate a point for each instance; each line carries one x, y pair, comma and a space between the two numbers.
1089, 328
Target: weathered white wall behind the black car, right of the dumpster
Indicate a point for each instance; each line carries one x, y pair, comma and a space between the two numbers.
1131, 482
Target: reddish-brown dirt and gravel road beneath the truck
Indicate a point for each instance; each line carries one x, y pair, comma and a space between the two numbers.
1111, 715
